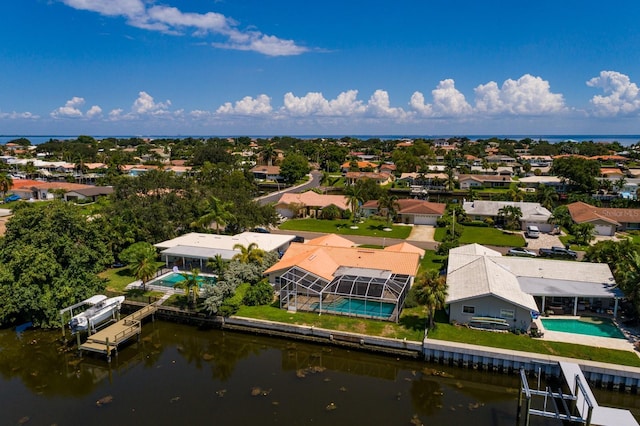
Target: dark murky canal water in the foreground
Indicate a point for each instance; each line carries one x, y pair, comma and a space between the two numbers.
177, 374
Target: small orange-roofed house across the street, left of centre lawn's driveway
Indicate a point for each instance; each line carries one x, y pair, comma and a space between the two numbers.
308, 203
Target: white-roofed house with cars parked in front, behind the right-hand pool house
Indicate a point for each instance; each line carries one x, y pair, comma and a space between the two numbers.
532, 213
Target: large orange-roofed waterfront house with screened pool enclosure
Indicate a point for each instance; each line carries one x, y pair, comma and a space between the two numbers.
340, 280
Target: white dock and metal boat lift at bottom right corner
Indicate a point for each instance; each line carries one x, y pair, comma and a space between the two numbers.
579, 406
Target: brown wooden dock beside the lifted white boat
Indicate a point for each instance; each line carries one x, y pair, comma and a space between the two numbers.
107, 340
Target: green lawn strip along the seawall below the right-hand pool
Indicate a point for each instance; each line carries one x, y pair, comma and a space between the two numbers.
452, 333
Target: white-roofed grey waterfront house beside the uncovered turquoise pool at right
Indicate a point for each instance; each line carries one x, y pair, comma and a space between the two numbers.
483, 284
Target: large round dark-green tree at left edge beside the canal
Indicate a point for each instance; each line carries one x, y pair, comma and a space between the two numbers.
49, 259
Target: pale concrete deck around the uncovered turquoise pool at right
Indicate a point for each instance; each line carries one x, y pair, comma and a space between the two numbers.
628, 344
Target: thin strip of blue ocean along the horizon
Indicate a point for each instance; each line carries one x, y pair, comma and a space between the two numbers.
624, 140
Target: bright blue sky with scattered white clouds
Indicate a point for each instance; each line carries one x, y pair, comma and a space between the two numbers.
234, 67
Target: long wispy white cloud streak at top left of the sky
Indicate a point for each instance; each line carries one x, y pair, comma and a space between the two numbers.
172, 20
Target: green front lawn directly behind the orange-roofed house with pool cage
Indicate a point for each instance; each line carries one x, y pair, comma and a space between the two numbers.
370, 228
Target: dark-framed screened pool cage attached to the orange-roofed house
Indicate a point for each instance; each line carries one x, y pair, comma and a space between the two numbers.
361, 292
